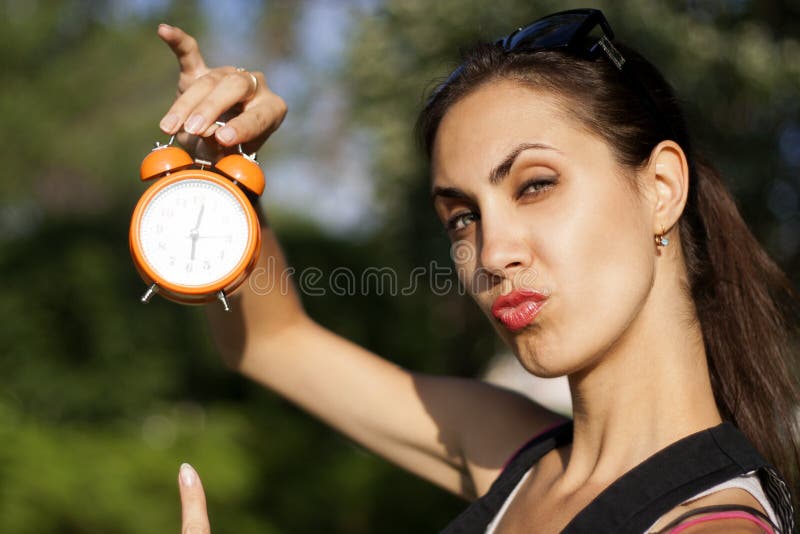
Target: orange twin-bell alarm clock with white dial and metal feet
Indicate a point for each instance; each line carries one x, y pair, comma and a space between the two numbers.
194, 235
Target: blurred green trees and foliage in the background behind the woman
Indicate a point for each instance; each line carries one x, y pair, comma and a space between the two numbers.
101, 397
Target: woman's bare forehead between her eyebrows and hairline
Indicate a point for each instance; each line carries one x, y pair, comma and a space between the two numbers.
479, 129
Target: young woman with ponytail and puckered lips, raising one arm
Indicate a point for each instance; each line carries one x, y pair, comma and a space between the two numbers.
605, 249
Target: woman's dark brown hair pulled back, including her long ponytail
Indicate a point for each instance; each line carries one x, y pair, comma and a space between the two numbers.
748, 310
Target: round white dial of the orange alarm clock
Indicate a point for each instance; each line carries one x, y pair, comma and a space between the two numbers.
194, 232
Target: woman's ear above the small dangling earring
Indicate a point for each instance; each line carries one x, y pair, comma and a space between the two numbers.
667, 177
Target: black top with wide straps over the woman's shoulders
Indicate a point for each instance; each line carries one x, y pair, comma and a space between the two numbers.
641, 496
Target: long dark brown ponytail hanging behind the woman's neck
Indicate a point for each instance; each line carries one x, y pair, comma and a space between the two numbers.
750, 319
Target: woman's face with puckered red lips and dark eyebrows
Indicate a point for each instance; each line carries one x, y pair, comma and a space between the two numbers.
533, 201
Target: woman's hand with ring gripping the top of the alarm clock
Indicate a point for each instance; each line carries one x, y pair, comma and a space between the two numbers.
242, 98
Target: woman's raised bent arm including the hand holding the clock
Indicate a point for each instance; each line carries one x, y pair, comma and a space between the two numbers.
457, 433
